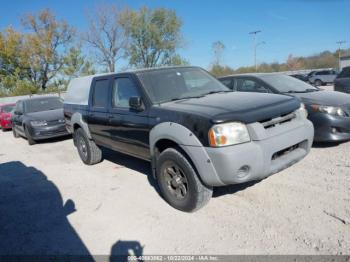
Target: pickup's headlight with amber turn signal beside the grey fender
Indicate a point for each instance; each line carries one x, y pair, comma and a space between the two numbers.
228, 134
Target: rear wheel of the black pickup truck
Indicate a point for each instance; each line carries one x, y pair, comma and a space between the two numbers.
88, 151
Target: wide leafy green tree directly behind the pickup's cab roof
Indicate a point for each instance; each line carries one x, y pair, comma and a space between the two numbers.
154, 37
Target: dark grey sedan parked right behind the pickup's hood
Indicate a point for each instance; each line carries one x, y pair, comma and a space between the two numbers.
329, 111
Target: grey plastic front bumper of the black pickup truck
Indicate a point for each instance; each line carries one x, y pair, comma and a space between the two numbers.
269, 152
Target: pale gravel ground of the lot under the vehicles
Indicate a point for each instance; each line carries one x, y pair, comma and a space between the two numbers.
50, 202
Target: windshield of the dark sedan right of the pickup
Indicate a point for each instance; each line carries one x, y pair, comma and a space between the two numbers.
287, 84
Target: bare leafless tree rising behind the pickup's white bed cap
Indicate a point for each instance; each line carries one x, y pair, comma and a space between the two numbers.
106, 35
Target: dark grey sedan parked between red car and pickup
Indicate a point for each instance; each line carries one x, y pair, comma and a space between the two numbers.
39, 118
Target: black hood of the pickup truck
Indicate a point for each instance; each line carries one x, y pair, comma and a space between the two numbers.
236, 106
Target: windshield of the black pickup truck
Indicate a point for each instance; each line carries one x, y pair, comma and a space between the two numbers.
179, 83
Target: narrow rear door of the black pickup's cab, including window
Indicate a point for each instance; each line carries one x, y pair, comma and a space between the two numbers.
97, 117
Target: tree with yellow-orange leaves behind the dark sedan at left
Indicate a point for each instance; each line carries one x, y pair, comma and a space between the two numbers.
45, 46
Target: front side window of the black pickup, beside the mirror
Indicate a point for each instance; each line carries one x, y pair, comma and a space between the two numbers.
123, 89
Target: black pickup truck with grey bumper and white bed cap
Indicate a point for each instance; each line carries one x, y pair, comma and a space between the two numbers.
195, 131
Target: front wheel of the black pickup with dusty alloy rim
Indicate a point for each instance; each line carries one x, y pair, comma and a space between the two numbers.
183, 189
